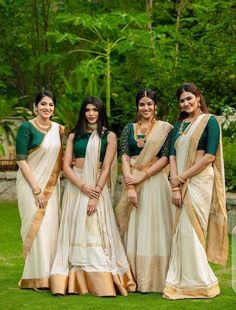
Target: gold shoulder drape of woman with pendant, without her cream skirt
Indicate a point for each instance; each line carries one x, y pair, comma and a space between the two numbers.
150, 150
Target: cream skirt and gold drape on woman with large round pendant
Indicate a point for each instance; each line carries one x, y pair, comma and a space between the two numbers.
147, 230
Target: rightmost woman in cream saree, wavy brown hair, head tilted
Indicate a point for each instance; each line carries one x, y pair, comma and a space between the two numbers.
197, 180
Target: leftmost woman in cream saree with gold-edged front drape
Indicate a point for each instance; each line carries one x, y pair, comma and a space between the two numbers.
39, 156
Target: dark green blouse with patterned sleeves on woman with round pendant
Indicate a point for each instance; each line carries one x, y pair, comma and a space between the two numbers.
128, 144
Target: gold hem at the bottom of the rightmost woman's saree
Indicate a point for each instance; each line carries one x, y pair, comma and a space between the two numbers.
173, 292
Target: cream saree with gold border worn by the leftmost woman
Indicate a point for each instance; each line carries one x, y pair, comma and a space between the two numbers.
39, 227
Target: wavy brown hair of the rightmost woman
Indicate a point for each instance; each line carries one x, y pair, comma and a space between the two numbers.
192, 88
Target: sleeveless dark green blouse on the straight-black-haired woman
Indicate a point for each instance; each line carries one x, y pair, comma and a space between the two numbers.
80, 145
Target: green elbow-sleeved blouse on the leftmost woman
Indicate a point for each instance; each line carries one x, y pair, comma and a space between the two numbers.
28, 137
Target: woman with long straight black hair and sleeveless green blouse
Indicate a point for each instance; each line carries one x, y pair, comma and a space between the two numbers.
90, 256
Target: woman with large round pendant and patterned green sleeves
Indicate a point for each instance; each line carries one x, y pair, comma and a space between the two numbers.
144, 213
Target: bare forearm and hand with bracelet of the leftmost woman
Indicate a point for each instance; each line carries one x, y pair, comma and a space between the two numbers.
28, 175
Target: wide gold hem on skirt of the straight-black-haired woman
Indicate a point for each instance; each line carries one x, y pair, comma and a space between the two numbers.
96, 283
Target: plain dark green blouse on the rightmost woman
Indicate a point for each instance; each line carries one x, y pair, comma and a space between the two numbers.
209, 140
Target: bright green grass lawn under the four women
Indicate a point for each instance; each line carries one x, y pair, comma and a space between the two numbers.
11, 297
